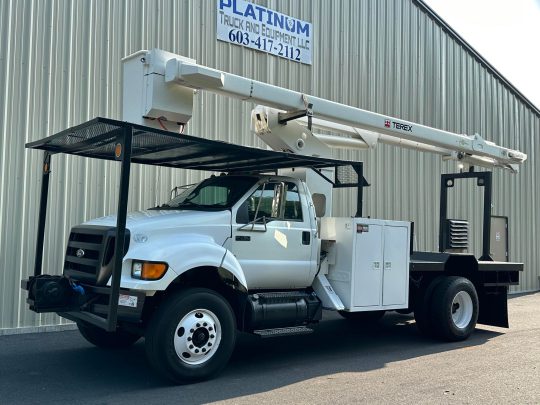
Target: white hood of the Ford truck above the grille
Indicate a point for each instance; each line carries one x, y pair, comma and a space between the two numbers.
216, 224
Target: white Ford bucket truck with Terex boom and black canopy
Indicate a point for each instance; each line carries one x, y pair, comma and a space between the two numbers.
254, 247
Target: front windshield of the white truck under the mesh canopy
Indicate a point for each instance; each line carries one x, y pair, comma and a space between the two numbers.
220, 192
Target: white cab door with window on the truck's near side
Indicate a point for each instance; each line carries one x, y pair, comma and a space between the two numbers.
272, 236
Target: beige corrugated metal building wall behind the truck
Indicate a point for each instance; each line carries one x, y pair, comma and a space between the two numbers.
60, 65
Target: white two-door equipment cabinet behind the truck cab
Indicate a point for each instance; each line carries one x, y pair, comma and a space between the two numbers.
370, 269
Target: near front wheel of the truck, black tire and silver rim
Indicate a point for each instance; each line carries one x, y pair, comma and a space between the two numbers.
191, 336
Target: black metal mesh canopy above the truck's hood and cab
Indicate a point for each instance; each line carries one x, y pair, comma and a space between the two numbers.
97, 139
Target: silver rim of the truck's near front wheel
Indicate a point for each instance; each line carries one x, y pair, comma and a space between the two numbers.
197, 336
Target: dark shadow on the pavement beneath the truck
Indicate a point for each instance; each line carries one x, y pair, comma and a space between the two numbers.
55, 361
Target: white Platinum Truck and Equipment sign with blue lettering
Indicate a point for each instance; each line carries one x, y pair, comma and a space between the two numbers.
257, 27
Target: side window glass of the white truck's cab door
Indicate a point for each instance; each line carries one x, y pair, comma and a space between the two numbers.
275, 201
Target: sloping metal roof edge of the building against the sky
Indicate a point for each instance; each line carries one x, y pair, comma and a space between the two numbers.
446, 27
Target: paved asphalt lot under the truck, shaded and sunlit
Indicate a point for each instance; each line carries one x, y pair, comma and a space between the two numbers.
339, 363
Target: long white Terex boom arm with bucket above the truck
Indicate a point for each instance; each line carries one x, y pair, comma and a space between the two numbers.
177, 72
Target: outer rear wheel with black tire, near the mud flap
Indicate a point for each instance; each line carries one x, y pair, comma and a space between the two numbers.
455, 309
